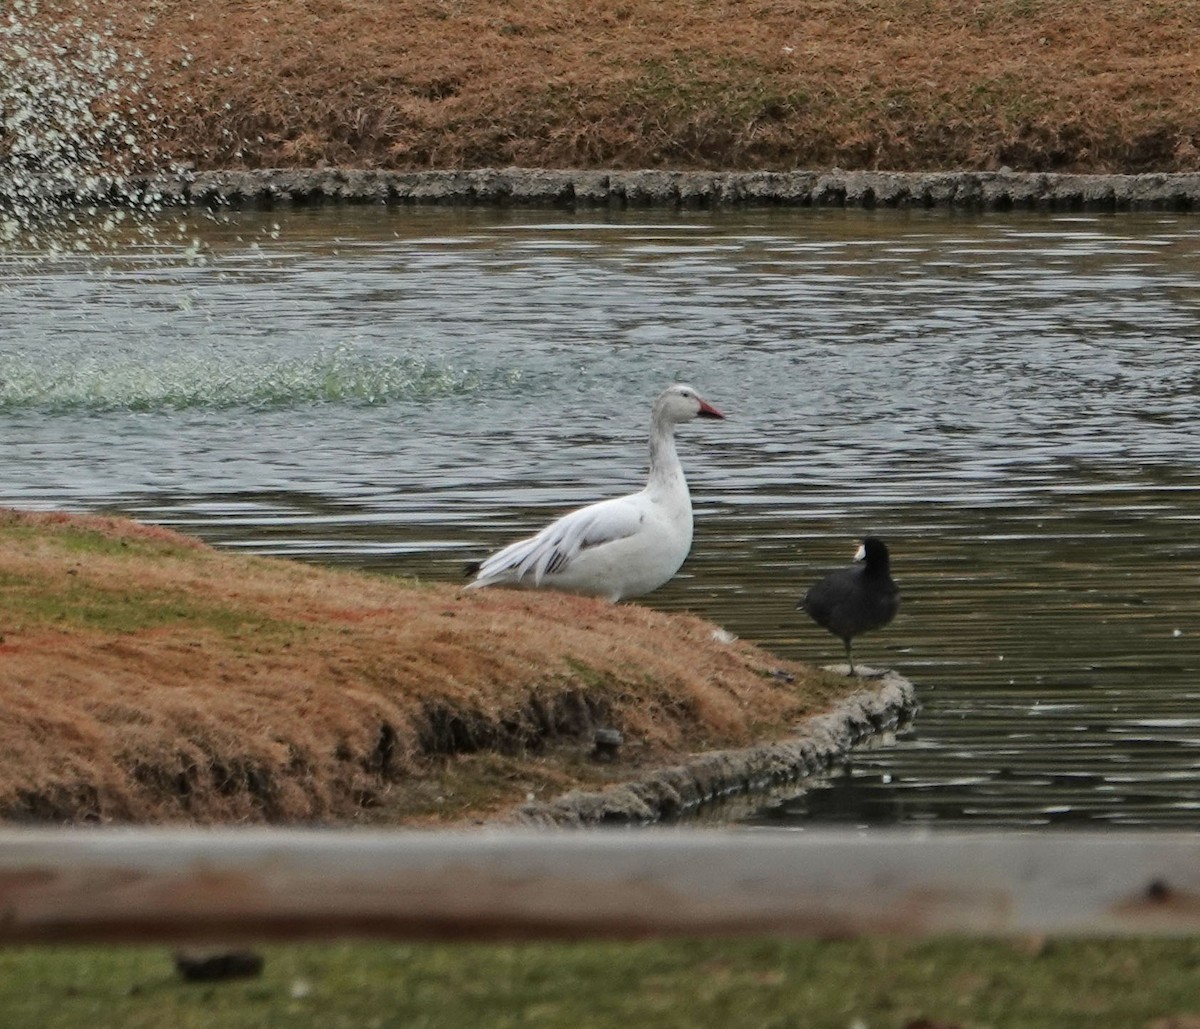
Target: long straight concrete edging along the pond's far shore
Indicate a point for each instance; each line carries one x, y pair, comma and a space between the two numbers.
979, 191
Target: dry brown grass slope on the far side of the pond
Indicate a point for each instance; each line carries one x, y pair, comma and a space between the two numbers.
1111, 86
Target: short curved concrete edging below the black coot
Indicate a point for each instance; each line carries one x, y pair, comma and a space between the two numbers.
819, 743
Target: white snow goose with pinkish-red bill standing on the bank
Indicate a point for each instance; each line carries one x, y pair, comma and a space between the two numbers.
617, 549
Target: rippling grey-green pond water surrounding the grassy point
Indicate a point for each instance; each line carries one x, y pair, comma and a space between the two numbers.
1010, 401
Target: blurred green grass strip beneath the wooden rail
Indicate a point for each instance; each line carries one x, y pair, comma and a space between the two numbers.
872, 984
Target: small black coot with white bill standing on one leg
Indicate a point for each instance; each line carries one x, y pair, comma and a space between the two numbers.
856, 600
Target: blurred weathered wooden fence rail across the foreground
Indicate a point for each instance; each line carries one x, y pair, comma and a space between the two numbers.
165, 884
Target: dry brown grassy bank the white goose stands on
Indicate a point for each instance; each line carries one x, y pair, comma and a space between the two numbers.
148, 678
